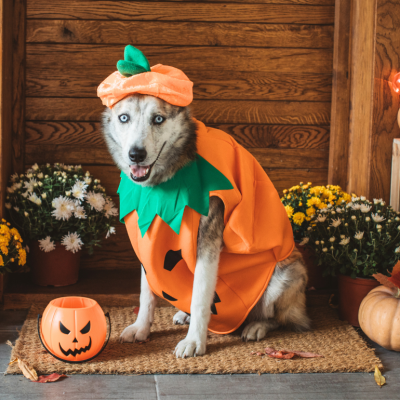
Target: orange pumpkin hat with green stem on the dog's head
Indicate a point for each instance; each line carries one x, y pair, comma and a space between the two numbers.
135, 75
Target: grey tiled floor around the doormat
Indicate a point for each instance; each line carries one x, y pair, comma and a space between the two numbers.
355, 386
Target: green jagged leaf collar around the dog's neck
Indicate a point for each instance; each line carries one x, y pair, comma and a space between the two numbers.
190, 186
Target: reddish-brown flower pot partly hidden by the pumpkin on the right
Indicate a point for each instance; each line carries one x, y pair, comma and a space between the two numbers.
351, 294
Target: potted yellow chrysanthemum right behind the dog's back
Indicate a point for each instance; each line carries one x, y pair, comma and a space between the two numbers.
301, 203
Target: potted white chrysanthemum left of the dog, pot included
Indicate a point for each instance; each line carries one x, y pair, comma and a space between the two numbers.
59, 210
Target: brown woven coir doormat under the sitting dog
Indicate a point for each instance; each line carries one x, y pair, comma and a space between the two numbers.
343, 349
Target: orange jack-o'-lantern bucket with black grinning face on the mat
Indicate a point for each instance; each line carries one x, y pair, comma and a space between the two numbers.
73, 329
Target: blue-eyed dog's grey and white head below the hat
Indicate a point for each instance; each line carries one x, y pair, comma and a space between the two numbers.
148, 138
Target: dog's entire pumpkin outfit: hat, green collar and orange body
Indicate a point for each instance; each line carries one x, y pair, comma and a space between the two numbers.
163, 221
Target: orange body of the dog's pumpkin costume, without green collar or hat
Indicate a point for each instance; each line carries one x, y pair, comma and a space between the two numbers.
257, 235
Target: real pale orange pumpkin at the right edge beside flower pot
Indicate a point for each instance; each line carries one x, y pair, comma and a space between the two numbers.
379, 317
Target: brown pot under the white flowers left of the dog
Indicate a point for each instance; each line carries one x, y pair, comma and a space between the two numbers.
59, 267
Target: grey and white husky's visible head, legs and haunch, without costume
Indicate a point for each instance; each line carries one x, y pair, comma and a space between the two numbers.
150, 140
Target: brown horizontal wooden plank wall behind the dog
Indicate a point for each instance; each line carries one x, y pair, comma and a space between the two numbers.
262, 71
